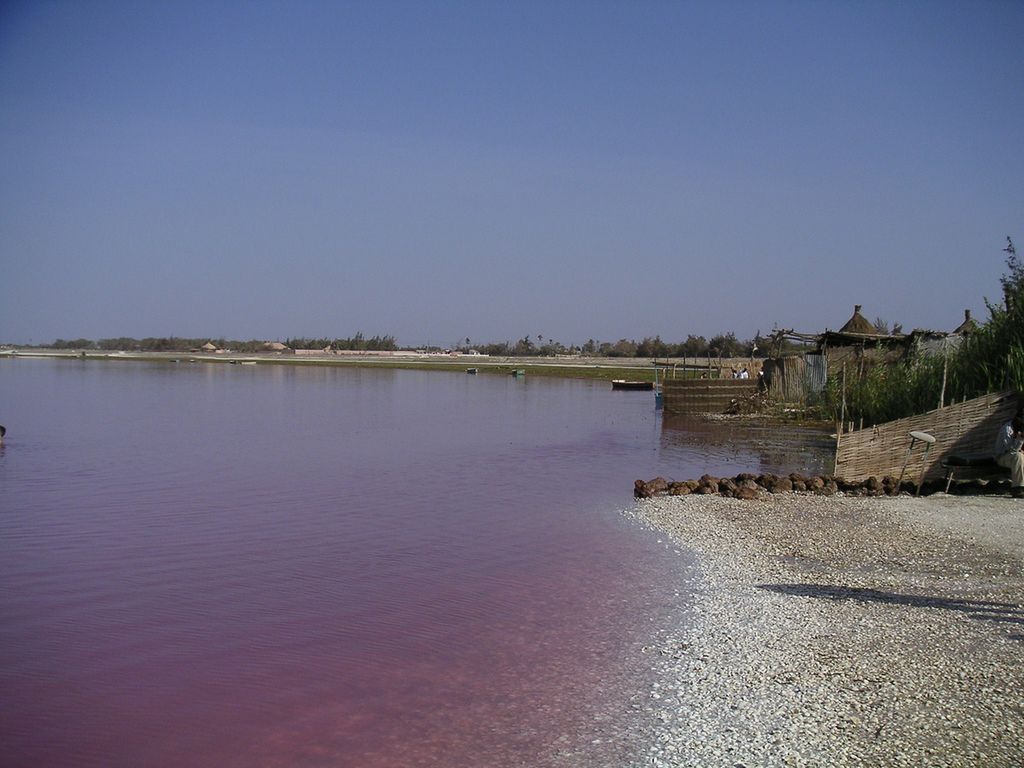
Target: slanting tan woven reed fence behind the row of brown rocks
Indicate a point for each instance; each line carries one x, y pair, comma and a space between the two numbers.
967, 428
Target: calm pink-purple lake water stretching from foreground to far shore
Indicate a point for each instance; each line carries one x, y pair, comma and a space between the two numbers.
227, 566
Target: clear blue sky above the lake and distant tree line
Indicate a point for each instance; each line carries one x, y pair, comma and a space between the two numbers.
445, 170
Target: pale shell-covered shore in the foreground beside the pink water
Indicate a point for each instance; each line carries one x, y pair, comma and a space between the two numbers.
840, 631
